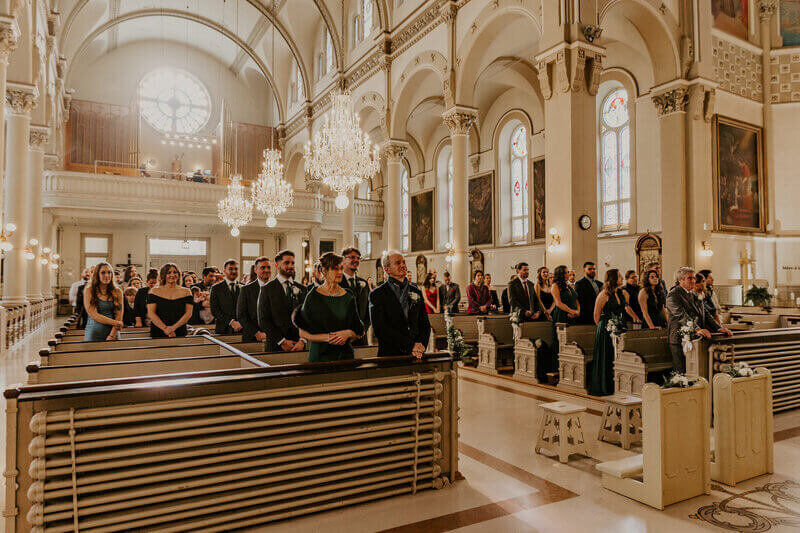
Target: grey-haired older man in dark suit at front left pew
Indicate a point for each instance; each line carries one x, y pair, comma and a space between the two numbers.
397, 311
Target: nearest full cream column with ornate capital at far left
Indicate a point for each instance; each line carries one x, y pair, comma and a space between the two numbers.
21, 99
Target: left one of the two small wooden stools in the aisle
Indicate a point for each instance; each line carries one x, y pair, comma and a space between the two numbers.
561, 430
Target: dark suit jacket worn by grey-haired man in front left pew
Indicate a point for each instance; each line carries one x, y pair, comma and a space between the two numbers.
397, 334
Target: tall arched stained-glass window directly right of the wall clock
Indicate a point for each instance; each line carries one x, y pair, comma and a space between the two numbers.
615, 162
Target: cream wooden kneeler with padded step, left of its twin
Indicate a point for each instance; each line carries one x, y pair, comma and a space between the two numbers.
676, 461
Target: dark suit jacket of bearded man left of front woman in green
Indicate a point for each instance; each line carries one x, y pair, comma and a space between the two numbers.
275, 313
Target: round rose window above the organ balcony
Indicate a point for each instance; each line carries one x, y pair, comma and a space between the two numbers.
174, 101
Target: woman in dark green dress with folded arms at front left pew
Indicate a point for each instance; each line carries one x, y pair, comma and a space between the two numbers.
328, 317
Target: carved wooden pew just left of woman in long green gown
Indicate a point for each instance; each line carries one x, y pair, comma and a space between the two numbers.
576, 346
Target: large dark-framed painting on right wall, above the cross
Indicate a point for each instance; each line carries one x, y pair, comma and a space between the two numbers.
738, 176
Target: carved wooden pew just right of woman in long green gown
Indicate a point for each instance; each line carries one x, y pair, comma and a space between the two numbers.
639, 354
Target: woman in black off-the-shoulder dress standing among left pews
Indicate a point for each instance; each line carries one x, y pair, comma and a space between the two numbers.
169, 306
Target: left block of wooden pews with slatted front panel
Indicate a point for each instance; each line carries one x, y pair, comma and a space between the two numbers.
209, 433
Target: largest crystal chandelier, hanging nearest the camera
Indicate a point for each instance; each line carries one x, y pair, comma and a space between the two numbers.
343, 155
